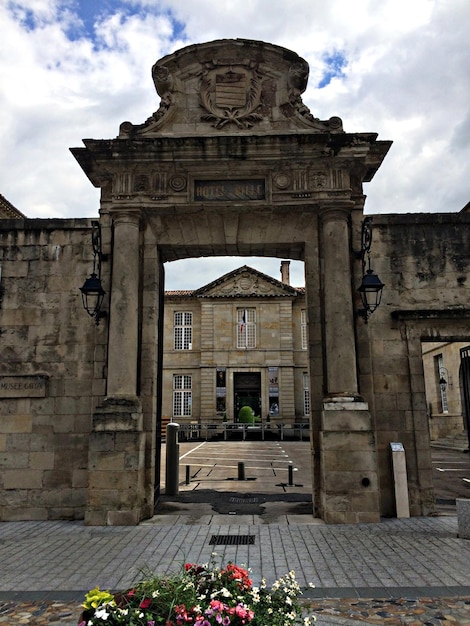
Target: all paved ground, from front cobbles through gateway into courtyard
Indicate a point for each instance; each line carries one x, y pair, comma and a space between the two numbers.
408, 571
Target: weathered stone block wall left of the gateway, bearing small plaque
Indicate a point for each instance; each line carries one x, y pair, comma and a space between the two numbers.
46, 336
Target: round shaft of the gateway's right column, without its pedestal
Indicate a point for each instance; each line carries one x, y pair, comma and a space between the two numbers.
340, 343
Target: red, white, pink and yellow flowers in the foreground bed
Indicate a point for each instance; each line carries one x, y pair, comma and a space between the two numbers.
199, 595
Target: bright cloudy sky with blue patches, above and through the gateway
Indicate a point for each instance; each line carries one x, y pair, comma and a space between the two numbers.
71, 69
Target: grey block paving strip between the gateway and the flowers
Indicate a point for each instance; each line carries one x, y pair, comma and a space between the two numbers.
415, 553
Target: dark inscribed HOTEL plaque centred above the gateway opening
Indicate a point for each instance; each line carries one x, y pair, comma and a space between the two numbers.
220, 190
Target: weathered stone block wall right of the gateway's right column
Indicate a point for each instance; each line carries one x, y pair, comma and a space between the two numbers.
423, 259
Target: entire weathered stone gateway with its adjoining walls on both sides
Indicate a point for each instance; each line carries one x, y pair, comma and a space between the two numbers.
83, 443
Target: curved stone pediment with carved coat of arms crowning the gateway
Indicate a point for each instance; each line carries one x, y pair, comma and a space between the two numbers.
230, 85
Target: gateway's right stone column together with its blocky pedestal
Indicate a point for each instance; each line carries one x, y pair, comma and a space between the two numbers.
349, 490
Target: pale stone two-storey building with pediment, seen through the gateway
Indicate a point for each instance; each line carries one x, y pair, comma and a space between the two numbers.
239, 341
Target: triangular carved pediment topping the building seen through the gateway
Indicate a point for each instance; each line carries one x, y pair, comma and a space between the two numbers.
245, 282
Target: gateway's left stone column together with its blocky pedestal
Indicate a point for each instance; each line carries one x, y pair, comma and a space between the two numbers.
116, 453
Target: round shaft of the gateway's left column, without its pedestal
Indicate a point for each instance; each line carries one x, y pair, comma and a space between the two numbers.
123, 321
